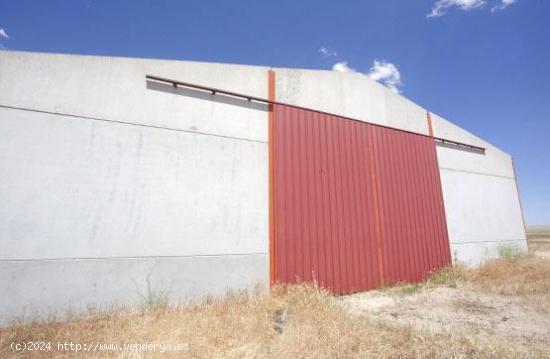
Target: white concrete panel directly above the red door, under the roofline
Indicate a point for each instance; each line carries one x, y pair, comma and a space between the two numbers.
345, 94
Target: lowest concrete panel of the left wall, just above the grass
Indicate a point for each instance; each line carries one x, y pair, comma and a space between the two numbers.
37, 289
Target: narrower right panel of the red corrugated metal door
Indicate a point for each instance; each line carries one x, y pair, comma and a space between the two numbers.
414, 235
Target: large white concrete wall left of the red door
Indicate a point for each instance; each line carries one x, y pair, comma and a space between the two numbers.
108, 182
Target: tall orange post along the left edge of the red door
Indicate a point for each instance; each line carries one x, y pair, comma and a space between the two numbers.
271, 155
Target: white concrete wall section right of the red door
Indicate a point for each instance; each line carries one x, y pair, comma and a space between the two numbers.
481, 199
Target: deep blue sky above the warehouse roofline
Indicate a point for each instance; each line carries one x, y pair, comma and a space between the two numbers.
484, 65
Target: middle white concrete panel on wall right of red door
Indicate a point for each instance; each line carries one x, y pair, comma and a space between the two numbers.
481, 208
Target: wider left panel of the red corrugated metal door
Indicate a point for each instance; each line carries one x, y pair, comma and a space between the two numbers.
324, 224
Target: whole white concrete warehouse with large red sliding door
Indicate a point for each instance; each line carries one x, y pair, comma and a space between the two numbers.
190, 178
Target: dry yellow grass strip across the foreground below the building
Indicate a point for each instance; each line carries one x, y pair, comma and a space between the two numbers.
243, 325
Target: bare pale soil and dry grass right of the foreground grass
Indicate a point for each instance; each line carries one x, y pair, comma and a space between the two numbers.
506, 301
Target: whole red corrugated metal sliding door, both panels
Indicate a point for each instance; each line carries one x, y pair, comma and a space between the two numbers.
355, 205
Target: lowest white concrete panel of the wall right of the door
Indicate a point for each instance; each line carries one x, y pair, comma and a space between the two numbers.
474, 254
